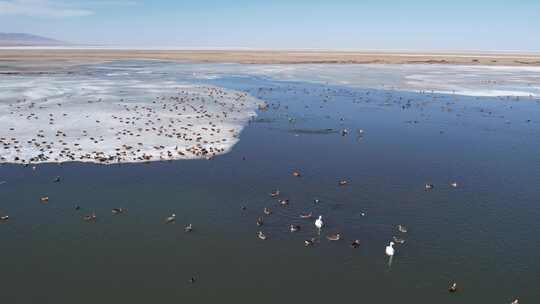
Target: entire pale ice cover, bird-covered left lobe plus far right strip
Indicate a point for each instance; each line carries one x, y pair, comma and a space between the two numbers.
134, 111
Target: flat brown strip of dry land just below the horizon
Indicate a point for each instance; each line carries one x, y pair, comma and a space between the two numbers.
62, 57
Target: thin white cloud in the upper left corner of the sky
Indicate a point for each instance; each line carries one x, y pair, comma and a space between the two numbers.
40, 8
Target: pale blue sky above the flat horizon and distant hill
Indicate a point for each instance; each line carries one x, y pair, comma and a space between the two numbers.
475, 25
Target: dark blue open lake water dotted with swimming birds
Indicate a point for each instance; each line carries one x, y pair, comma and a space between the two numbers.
482, 234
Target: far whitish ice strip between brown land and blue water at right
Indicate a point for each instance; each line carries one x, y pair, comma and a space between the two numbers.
493, 81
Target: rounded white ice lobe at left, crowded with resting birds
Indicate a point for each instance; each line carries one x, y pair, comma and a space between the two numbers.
59, 118
